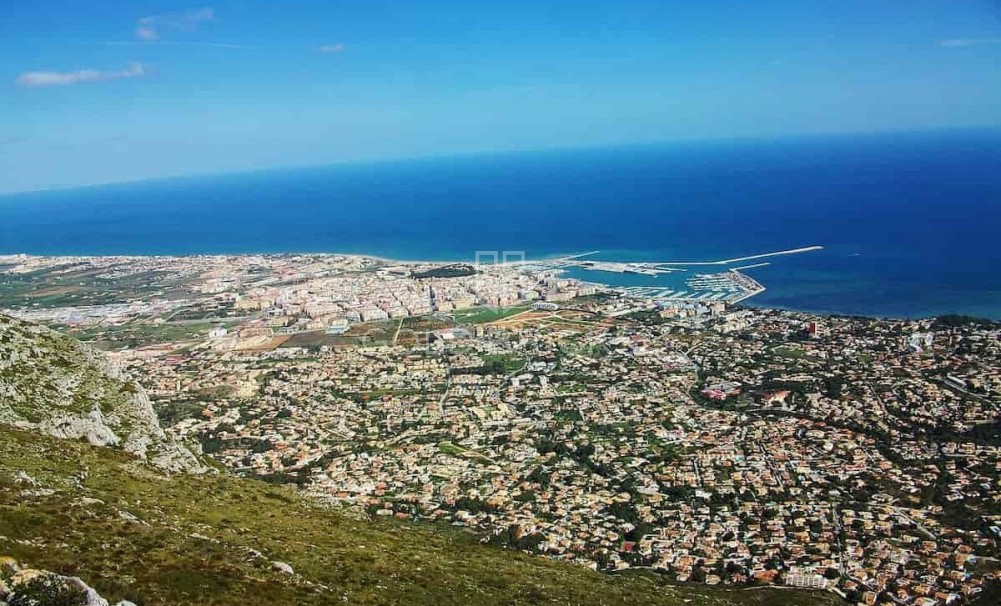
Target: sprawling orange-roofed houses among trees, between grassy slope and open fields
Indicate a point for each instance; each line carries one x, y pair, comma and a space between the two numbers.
642, 446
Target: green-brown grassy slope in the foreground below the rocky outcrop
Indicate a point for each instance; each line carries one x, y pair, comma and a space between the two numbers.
157, 560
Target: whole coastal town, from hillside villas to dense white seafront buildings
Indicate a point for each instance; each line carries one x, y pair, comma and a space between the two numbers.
709, 443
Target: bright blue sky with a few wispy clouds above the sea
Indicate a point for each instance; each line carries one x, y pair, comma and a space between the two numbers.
95, 93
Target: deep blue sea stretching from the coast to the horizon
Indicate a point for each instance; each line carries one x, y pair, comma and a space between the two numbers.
911, 224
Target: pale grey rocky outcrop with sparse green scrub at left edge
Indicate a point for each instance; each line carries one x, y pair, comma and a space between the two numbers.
61, 387
